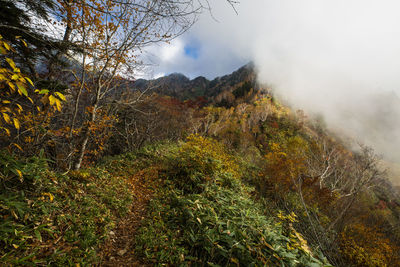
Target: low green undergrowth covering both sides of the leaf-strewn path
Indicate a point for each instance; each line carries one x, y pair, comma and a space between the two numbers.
203, 214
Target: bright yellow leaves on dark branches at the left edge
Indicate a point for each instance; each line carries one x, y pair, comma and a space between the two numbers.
20, 107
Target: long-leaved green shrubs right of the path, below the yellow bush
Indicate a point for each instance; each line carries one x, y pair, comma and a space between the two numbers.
221, 226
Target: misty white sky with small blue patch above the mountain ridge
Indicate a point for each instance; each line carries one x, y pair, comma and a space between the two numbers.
340, 59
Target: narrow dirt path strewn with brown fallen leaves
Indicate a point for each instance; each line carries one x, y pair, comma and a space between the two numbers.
119, 249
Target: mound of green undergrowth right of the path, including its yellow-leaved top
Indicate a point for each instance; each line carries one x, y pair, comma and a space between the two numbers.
205, 215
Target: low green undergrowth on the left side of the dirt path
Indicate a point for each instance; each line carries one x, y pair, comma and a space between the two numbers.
48, 218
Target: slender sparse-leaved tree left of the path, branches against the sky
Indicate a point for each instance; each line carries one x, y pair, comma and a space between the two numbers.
111, 36
